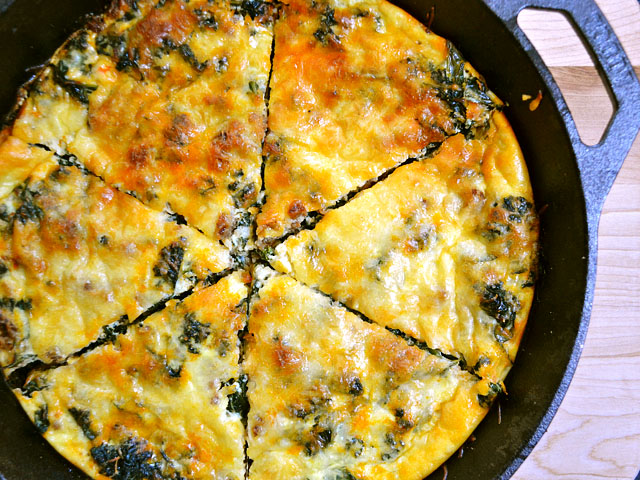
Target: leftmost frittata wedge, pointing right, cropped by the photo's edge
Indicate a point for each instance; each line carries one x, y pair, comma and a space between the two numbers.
79, 250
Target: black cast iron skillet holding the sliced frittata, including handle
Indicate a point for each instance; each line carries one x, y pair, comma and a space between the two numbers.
569, 179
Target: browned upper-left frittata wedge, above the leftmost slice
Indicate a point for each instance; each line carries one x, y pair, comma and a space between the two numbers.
173, 109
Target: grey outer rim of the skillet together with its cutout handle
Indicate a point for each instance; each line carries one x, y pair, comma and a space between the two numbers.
598, 164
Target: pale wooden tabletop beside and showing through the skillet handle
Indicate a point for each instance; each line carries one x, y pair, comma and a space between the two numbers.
596, 432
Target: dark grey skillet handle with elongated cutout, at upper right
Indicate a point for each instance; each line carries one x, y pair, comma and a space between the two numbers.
599, 164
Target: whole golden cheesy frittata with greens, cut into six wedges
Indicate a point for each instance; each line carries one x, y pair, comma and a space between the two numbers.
165, 100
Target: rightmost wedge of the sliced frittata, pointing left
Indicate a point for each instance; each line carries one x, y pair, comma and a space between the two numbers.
442, 249
